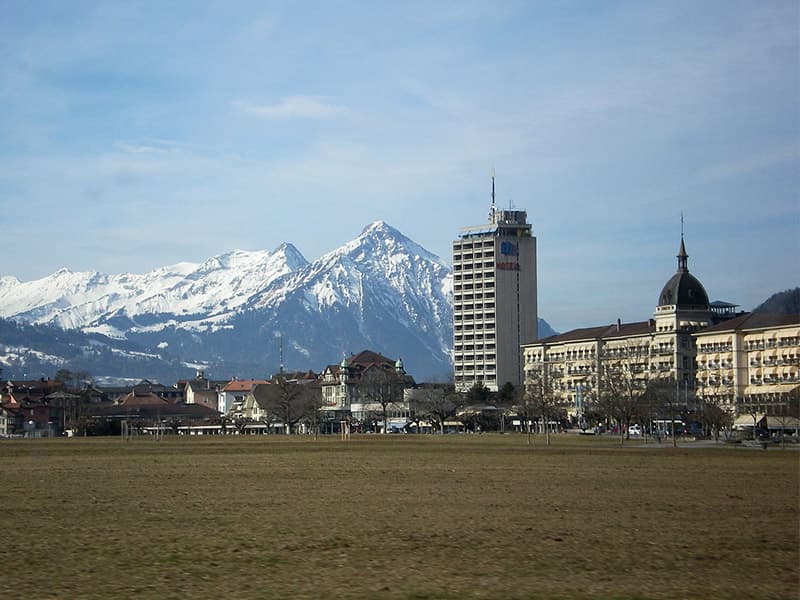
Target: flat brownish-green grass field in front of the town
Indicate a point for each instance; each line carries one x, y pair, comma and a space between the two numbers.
396, 517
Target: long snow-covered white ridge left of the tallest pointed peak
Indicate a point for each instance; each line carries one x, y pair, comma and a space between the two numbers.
190, 294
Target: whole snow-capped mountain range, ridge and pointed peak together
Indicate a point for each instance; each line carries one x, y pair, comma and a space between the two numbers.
380, 291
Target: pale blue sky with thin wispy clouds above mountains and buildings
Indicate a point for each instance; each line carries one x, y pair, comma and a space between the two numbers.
135, 135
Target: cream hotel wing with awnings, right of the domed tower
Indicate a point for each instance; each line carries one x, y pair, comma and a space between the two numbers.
751, 363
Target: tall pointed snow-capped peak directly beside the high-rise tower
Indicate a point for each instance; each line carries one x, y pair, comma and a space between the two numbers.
380, 291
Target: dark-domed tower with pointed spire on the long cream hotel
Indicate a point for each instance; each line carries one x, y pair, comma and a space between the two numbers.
683, 308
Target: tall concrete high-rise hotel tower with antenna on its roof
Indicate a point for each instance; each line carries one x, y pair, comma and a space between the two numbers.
494, 299
